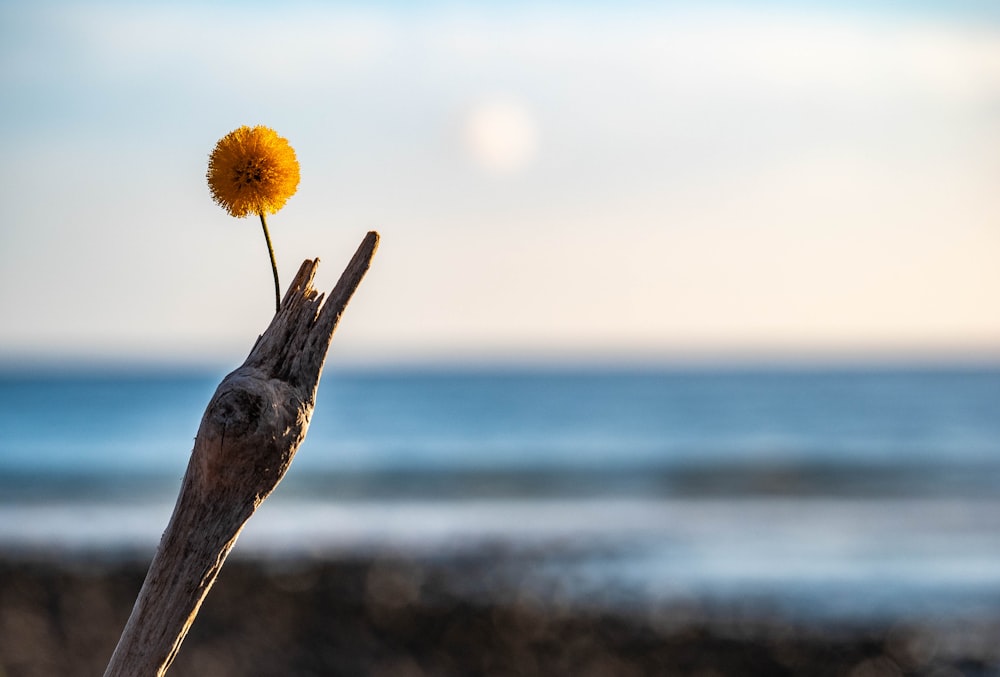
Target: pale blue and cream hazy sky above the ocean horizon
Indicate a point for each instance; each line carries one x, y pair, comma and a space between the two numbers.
551, 181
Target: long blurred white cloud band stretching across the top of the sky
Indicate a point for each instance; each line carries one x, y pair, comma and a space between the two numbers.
692, 48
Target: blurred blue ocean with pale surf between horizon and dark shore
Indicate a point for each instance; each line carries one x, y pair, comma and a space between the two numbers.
821, 492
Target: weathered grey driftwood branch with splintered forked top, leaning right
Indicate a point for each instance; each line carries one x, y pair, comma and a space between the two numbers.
248, 436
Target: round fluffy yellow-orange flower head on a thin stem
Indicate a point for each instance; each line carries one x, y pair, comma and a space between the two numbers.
252, 170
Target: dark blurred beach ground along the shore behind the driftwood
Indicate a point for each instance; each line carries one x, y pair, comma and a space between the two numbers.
453, 616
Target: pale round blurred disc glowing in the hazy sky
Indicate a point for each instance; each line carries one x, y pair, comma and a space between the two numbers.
500, 135
